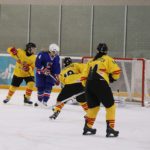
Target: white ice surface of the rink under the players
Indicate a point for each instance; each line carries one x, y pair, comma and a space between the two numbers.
29, 128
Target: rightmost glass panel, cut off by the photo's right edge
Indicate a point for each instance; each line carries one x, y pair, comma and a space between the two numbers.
138, 32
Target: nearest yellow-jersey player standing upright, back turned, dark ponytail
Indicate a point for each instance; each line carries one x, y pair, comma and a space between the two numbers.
100, 71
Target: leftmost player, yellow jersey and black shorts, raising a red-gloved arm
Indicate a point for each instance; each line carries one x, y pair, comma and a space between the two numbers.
24, 70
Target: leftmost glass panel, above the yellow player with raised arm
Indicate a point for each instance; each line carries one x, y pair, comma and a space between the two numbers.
13, 26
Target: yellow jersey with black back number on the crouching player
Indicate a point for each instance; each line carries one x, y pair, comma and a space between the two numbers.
72, 73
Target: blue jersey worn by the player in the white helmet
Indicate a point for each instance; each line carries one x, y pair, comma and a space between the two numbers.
44, 60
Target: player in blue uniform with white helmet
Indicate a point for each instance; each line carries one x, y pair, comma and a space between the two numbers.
47, 71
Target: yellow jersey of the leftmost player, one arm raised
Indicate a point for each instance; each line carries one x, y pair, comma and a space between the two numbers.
22, 59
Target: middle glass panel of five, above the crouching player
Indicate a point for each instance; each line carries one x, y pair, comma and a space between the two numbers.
75, 31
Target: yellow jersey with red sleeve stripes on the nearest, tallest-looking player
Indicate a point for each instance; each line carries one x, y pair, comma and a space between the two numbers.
105, 65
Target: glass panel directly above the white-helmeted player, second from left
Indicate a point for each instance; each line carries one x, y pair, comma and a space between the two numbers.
44, 25
